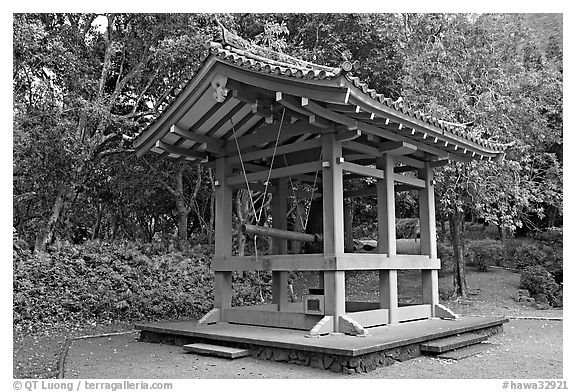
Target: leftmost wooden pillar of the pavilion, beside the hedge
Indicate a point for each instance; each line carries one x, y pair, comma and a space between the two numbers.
223, 235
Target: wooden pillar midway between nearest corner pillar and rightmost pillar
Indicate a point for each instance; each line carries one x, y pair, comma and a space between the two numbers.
387, 236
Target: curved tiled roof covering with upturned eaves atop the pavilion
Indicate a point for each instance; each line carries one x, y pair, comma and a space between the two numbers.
234, 50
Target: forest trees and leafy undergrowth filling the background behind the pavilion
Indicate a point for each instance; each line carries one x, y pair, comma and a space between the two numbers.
98, 232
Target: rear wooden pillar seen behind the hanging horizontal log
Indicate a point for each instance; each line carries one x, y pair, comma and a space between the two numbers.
279, 246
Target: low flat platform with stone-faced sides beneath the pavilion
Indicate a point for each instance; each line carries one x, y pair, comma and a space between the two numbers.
339, 353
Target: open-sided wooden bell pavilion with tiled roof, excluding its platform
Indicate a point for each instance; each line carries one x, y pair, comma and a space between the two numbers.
263, 119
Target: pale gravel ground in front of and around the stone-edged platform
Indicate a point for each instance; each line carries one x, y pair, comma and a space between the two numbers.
526, 349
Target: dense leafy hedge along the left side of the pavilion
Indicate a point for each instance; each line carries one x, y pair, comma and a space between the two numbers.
116, 282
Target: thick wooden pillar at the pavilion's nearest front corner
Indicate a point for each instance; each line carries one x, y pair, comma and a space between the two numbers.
333, 217
